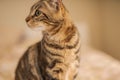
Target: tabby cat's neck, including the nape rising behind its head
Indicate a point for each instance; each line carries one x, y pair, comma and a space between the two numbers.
63, 32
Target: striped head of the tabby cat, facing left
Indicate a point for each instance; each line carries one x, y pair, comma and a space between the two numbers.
46, 14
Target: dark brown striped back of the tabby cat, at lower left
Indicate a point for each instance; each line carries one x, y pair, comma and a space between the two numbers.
28, 65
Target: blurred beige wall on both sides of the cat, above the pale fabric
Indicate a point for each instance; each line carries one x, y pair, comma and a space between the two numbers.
98, 22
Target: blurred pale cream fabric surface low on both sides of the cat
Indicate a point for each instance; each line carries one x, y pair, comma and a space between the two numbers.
95, 65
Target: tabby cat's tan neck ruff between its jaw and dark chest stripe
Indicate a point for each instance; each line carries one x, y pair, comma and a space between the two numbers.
63, 35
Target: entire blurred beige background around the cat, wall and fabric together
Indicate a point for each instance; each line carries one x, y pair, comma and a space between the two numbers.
97, 20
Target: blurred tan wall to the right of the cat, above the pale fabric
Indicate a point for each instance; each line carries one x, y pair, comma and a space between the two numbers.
101, 21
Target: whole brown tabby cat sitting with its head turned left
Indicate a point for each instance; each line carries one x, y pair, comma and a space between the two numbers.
56, 56
